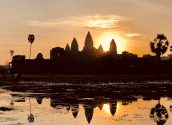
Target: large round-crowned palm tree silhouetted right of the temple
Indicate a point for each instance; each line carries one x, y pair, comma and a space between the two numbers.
160, 45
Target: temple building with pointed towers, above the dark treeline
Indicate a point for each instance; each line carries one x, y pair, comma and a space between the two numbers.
88, 52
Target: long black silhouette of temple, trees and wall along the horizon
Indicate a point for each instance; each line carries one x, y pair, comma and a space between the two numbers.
89, 60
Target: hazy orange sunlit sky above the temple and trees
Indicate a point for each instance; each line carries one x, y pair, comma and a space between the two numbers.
132, 23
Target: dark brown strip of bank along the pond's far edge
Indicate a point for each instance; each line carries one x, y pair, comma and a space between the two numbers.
134, 79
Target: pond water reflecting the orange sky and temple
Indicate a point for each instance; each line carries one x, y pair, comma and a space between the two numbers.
94, 104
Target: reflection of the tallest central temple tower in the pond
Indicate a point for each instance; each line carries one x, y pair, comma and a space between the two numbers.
89, 110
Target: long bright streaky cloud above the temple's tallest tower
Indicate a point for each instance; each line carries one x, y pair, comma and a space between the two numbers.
91, 21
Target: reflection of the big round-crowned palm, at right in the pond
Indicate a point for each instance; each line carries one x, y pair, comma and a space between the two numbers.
159, 114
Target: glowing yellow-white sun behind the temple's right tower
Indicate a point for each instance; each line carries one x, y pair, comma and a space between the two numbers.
107, 38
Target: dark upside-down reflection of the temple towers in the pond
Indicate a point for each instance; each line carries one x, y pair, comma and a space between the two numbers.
87, 104
